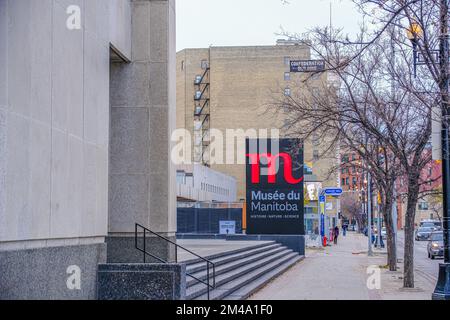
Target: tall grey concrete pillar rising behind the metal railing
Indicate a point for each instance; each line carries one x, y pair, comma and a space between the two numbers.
142, 176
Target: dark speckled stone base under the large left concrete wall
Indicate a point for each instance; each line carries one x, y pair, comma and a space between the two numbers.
42, 274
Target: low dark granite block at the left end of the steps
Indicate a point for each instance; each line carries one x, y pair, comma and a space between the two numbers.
141, 282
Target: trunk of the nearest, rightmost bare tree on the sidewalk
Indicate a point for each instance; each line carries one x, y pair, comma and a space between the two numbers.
413, 194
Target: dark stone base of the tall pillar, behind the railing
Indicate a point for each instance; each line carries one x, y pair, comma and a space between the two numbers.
123, 249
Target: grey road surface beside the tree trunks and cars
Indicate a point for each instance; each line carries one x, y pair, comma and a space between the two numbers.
424, 267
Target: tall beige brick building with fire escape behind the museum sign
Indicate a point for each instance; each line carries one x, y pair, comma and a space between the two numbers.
224, 88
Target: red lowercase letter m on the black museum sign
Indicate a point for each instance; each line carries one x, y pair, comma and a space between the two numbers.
255, 162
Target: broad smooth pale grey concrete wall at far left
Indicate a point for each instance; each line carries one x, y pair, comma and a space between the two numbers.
54, 121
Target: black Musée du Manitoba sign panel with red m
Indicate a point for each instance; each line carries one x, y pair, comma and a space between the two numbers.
274, 173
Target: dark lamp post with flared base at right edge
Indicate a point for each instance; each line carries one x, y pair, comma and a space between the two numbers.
442, 291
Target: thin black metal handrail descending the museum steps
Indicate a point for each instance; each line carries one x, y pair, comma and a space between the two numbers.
145, 253
